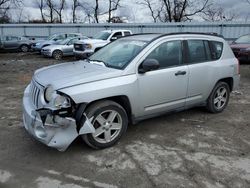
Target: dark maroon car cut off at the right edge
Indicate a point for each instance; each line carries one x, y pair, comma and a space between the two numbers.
241, 48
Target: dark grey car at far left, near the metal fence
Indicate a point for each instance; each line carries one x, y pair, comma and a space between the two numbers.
15, 43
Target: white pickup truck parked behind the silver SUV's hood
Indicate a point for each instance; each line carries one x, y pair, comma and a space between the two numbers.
85, 48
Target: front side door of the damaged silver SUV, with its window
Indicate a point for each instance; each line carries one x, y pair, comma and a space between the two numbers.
164, 89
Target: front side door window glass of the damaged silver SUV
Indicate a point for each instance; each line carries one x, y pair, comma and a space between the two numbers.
168, 54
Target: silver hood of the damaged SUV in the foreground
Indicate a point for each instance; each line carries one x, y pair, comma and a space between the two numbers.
74, 73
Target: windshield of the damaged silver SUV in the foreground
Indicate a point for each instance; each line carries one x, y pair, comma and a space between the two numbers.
118, 54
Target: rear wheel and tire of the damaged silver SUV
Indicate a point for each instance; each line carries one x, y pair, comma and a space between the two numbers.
219, 97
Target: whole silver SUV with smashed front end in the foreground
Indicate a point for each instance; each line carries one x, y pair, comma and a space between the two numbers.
131, 79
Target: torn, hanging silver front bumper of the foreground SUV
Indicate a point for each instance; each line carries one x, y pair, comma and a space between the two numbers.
53, 130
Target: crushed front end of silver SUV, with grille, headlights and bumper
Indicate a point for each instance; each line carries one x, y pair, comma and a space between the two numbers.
51, 122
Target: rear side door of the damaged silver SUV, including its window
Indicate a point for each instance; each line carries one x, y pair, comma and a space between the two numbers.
201, 67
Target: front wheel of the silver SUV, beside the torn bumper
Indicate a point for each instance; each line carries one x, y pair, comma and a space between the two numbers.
110, 120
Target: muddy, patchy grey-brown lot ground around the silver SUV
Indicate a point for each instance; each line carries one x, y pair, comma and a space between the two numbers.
187, 149
